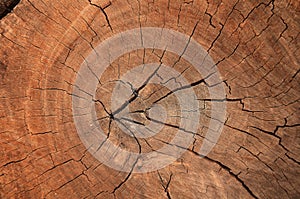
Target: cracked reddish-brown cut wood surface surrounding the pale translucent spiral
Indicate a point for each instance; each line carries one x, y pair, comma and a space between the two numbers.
255, 48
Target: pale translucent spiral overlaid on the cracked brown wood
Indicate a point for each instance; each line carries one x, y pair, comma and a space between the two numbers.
109, 50
